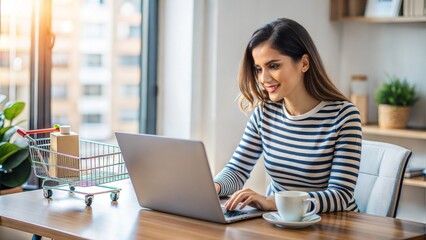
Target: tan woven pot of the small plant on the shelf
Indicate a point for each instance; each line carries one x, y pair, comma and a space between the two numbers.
393, 116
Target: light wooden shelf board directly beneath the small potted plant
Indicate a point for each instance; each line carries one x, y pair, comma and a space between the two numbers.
404, 133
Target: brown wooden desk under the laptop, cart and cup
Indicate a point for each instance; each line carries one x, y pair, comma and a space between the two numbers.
65, 216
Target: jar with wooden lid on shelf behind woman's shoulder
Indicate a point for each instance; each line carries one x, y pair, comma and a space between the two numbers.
359, 95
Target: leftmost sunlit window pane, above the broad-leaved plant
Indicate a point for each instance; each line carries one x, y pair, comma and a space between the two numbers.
15, 48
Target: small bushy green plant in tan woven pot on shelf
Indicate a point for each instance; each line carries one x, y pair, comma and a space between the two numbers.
395, 99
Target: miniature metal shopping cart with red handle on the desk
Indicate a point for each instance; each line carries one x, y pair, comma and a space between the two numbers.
97, 163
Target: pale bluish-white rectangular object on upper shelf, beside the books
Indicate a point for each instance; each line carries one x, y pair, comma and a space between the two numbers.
382, 8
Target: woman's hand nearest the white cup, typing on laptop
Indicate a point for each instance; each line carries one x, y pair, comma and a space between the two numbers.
251, 198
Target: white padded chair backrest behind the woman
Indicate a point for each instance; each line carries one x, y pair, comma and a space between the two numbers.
380, 177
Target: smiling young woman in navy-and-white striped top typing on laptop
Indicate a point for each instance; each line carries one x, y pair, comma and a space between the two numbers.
308, 132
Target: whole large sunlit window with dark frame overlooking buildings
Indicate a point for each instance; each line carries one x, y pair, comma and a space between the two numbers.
60, 70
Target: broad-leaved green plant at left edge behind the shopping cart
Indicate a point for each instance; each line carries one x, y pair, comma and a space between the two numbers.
15, 164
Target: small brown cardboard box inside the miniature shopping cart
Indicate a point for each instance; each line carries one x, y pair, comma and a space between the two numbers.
69, 144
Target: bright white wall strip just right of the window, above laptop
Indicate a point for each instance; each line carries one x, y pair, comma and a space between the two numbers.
175, 67
